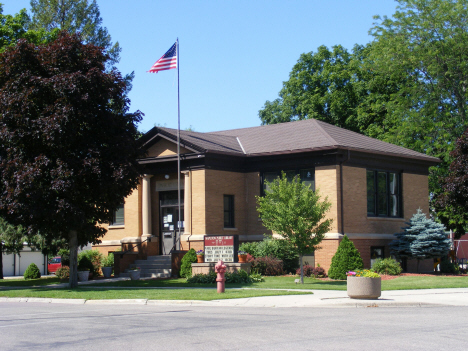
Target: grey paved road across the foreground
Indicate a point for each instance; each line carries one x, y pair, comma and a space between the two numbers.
40, 326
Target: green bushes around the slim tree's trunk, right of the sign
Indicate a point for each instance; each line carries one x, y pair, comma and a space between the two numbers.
281, 249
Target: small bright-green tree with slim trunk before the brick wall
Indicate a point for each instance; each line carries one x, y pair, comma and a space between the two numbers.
294, 211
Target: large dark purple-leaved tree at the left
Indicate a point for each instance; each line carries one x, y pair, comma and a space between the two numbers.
68, 146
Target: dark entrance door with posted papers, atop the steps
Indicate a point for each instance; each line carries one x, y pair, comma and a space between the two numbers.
170, 220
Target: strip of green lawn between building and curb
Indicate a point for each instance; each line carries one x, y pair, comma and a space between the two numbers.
170, 289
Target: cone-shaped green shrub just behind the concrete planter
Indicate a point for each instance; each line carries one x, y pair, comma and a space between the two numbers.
346, 258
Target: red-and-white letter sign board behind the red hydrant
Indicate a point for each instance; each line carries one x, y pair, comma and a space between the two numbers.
221, 247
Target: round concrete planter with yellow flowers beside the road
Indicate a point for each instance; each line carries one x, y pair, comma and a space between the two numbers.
363, 284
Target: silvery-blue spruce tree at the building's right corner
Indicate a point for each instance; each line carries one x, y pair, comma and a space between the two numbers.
421, 238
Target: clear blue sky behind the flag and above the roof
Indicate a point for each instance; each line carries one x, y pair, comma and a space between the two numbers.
234, 54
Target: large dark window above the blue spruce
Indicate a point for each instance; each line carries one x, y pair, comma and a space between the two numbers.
384, 194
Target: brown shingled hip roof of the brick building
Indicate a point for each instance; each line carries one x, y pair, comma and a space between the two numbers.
305, 135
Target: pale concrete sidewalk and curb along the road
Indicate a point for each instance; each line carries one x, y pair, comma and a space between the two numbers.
319, 298
